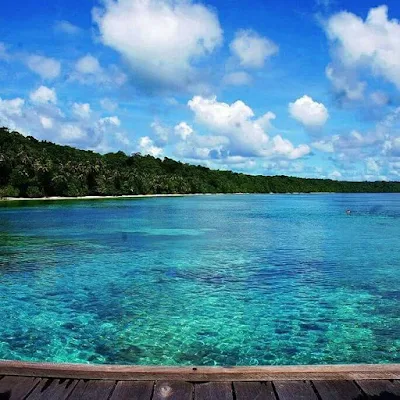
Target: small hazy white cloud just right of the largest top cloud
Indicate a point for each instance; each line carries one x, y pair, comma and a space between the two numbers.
252, 49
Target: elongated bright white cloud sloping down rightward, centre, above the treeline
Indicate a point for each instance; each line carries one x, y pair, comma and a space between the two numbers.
246, 134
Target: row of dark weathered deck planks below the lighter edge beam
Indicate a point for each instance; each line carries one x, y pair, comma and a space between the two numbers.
27, 388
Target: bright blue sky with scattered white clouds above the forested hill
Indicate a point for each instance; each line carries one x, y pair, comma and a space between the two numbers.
305, 88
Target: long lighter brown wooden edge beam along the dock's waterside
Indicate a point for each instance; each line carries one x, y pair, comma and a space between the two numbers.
201, 374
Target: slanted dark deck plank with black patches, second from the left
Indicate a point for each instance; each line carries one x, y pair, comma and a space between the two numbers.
53, 389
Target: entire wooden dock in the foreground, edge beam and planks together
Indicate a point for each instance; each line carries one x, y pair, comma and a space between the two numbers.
20, 380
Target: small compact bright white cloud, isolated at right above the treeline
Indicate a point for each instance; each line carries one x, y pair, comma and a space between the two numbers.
310, 113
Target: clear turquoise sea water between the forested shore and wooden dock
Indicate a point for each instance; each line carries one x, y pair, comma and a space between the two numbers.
208, 280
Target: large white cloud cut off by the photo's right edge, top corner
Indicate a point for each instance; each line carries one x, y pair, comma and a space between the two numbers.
372, 44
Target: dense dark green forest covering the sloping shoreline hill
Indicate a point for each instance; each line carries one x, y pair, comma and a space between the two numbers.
30, 168
